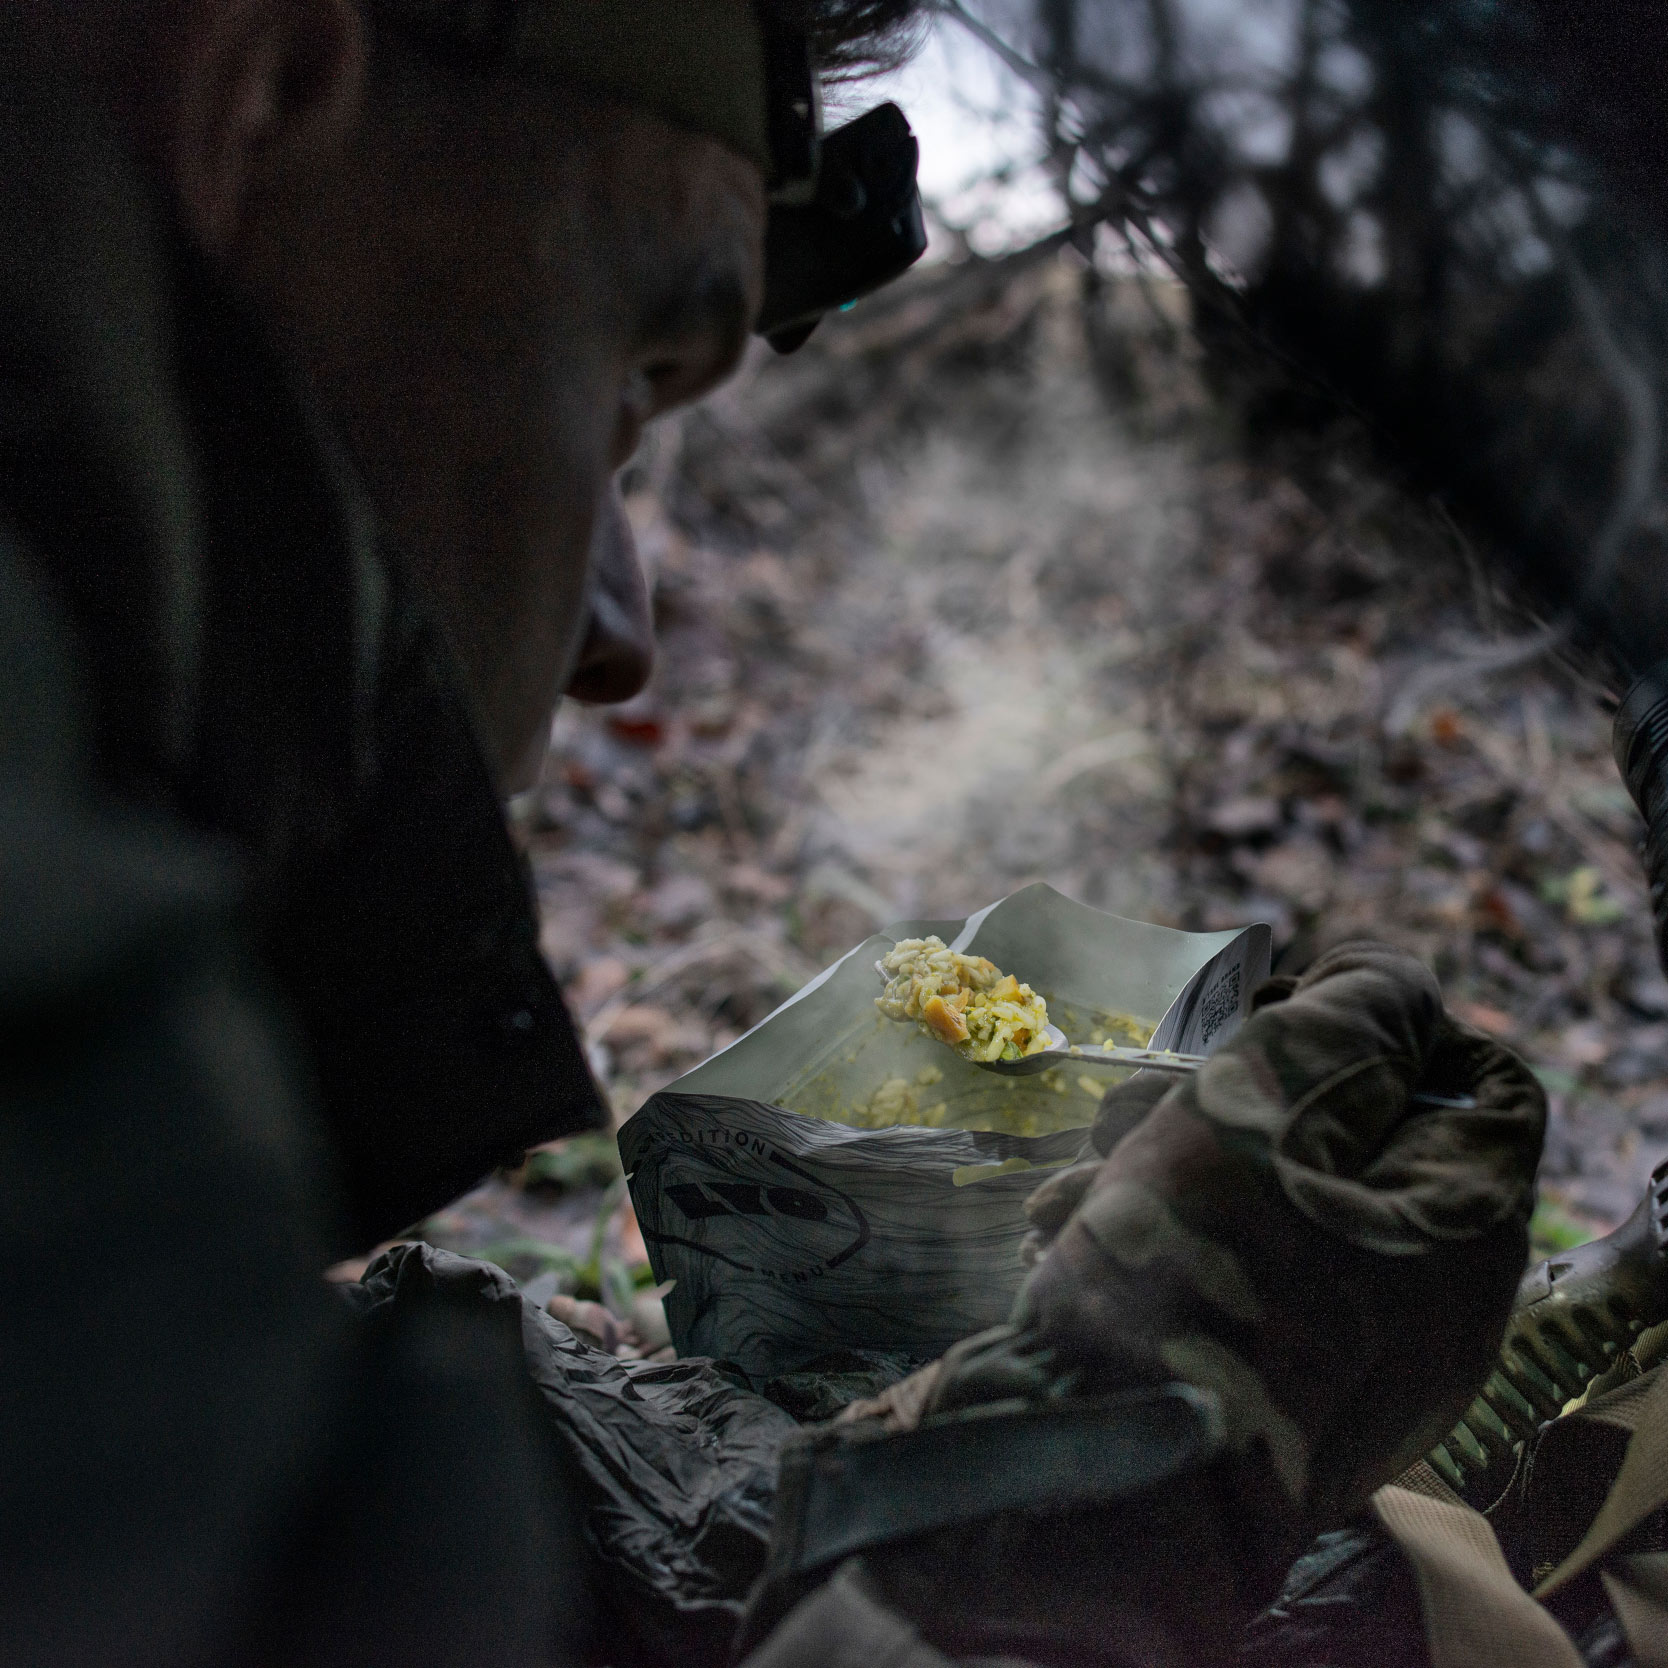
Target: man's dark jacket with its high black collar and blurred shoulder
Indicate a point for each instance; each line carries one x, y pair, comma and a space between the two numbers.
269, 993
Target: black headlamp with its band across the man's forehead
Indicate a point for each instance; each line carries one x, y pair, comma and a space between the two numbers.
845, 208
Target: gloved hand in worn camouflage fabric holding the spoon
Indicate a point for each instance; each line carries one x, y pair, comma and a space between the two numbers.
1292, 1232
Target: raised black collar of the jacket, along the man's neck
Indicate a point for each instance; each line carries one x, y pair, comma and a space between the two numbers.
258, 676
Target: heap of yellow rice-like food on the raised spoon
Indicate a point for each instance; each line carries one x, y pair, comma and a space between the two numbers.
963, 1000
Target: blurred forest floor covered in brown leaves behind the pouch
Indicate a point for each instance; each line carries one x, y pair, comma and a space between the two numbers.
985, 588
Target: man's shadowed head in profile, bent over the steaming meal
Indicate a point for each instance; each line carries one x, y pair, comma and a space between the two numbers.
493, 283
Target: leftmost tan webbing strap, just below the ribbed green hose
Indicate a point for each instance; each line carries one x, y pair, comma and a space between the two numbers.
1475, 1614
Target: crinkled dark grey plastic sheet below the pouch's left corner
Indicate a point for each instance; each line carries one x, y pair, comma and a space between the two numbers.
678, 1462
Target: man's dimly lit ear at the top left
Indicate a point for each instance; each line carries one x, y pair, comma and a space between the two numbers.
256, 84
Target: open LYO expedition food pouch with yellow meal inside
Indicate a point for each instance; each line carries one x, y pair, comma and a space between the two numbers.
843, 1182
